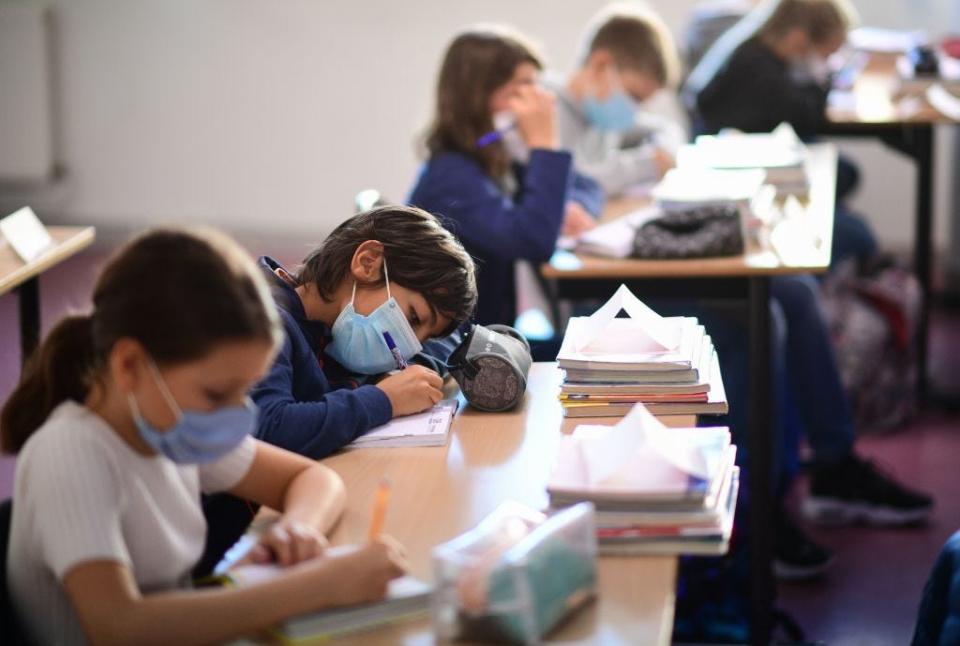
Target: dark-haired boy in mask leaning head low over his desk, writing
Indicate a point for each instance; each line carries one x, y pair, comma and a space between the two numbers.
391, 270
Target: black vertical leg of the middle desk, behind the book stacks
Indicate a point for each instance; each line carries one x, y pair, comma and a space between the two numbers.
760, 446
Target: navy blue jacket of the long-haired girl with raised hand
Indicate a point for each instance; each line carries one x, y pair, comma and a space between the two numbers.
498, 228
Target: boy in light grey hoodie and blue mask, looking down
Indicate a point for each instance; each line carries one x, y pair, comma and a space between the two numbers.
627, 57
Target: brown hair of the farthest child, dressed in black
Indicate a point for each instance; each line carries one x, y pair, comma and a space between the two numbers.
822, 20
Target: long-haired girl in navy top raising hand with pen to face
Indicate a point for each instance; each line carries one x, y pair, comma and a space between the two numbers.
496, 174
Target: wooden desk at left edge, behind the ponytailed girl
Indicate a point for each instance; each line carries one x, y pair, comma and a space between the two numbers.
24, 277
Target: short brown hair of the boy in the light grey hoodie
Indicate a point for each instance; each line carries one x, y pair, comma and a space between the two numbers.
637, 39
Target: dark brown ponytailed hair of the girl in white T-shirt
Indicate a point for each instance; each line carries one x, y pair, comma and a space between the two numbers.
178, 292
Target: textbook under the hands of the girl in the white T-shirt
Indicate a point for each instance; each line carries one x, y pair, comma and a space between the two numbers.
407, 598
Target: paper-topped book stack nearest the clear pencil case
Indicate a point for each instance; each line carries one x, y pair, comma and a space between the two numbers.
656, 490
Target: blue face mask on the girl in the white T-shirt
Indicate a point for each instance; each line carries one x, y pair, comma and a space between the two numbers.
195, 438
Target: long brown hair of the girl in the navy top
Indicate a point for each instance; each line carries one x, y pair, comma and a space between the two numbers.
477, 62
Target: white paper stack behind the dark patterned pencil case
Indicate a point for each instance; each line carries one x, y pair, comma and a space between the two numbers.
780, 155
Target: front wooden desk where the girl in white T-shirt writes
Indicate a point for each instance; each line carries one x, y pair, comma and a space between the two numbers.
492, 457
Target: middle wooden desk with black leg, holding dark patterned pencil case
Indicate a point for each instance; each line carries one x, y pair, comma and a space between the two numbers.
744, 278
